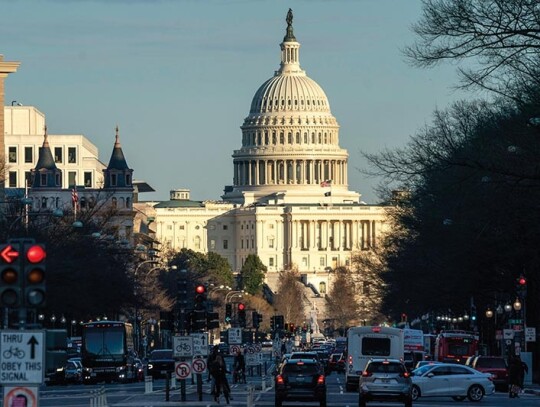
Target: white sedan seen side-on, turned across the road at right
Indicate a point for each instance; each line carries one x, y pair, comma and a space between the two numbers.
452, 380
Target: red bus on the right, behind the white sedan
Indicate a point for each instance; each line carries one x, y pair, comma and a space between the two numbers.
455, 346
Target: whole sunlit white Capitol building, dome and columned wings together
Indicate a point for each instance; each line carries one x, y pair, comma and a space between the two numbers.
289, 203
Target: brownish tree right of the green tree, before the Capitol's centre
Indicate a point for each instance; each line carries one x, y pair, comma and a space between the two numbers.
289, 300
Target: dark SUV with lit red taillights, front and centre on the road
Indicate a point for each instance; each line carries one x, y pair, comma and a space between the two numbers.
300, 380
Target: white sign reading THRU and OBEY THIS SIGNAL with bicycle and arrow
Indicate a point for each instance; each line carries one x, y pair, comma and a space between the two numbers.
22, 357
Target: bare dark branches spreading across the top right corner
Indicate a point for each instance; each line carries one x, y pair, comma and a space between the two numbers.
500, 37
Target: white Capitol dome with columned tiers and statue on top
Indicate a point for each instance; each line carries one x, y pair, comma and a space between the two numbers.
290, 139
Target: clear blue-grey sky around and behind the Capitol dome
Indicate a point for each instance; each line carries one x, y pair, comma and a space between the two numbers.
178, 77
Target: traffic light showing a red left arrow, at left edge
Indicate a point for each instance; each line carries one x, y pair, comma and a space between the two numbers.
11, 280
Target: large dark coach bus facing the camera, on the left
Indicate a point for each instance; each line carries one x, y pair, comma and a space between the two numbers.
107, 352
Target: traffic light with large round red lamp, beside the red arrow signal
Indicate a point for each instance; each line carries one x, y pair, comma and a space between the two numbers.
34, 275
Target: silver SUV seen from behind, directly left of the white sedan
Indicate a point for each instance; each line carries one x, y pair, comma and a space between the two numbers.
385, 380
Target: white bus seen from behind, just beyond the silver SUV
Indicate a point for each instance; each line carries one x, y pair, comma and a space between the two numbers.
367, 342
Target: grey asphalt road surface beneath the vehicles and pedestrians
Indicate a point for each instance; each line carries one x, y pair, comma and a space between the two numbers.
125, 395
